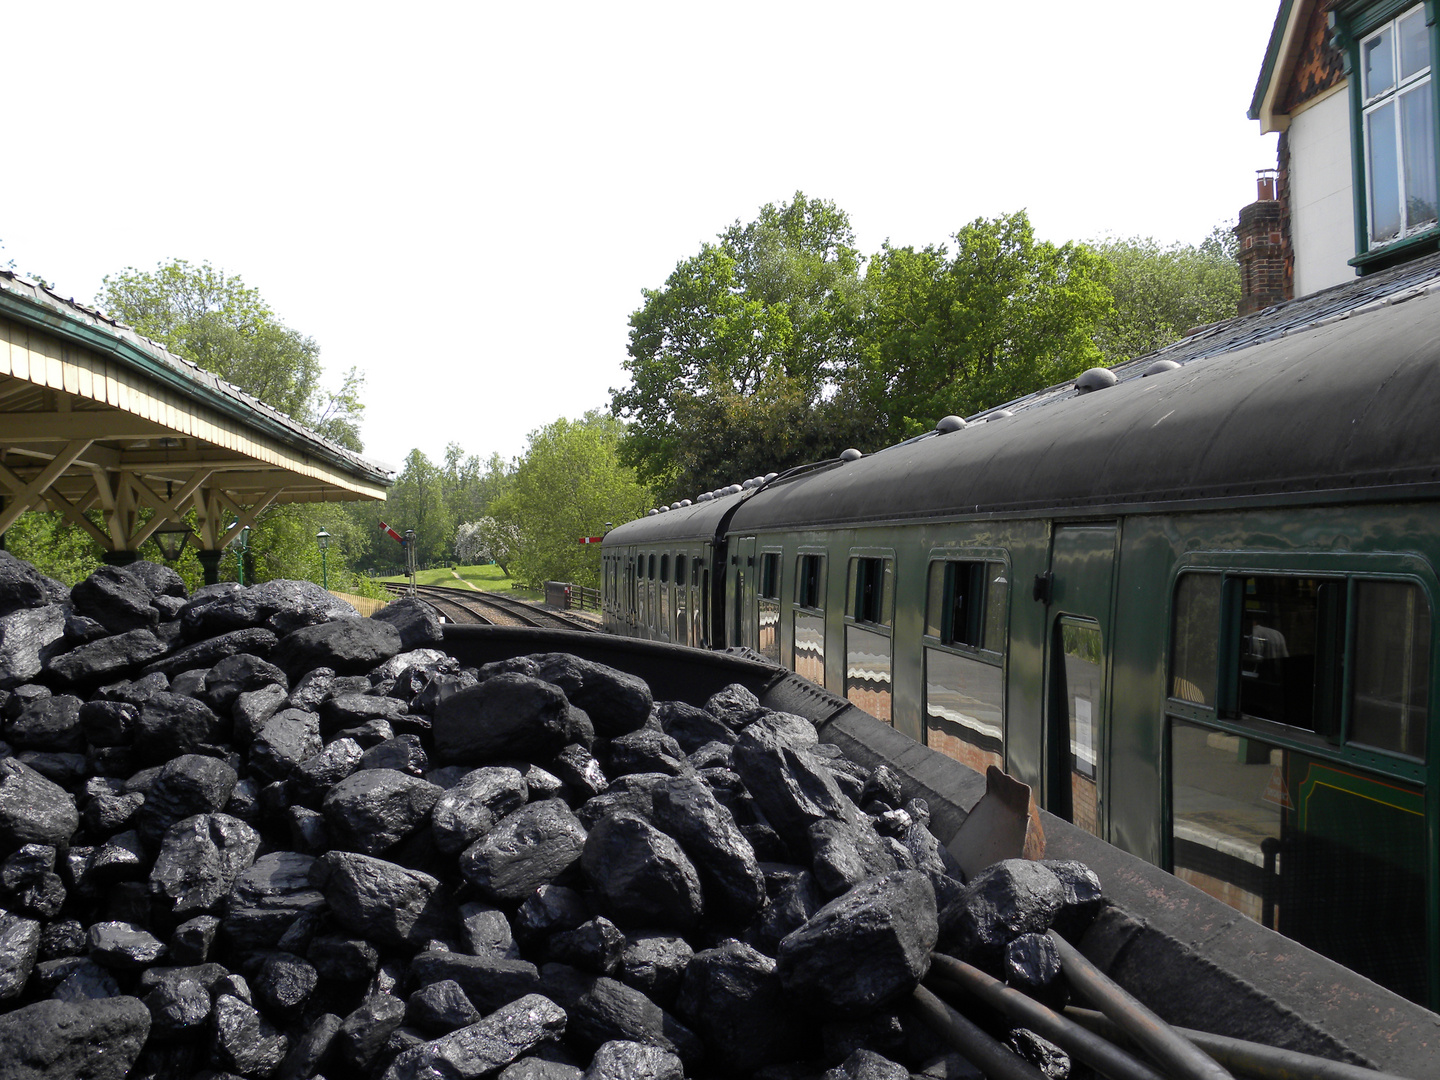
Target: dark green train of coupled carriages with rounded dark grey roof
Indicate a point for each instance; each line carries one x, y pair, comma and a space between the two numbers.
1192, 608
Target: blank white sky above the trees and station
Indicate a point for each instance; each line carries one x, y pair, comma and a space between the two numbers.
466, 199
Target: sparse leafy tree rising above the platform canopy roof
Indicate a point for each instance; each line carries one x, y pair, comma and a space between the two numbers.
227, 328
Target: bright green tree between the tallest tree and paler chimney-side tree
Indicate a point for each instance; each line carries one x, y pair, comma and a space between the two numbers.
1002, 318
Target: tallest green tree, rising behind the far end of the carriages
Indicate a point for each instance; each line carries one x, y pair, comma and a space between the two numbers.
770, 313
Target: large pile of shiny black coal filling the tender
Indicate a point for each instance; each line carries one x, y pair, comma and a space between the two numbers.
247, 833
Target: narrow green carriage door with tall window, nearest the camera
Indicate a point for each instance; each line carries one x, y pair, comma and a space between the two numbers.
1079, 594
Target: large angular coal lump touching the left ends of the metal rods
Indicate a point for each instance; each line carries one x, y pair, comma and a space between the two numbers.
865, 950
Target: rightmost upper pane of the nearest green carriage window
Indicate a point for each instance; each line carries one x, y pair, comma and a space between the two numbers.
1390, 683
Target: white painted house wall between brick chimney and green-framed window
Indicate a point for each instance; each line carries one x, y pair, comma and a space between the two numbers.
1323, 210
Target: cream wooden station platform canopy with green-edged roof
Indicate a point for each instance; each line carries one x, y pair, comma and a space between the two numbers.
94, 417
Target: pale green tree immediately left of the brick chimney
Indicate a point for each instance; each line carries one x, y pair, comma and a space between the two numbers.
1161, 292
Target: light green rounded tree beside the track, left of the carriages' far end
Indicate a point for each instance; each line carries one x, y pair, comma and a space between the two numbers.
568, 485
